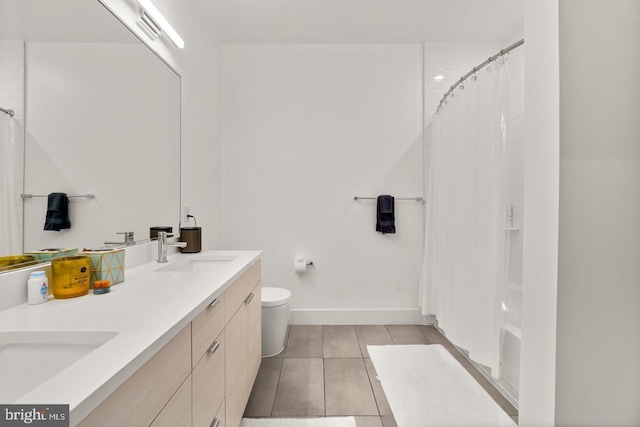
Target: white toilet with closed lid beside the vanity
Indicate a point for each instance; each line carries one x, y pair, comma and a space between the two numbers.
275, 318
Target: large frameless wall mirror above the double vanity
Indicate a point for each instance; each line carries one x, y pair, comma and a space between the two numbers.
97, 112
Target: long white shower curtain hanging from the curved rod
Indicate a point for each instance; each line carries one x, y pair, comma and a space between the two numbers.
465, 265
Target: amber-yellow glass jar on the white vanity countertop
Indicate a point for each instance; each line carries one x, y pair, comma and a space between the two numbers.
70, 276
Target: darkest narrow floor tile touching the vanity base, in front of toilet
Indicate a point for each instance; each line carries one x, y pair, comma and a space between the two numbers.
264, 389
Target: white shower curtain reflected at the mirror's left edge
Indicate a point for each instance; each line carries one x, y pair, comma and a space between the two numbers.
9, 233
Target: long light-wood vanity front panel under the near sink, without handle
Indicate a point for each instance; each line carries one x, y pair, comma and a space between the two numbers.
140, 399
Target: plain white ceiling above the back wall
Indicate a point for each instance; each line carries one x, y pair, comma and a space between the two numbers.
364, 21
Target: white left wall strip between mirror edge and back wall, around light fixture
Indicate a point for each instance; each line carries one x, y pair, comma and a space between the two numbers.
200, 66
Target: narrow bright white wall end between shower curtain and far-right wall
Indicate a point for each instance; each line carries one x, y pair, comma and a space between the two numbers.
540, 251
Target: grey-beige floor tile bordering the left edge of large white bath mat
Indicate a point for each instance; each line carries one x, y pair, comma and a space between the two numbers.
347, 388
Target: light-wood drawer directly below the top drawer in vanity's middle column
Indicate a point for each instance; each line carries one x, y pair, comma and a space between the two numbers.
209, 383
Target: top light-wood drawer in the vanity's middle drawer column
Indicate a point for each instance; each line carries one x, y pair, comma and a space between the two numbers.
206, 327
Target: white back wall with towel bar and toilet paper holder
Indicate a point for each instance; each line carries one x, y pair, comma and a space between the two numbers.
307, 128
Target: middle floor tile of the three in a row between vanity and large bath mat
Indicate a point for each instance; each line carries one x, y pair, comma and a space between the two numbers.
301, 388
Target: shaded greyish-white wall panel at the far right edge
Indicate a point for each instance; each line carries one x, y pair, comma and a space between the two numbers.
598, 346
